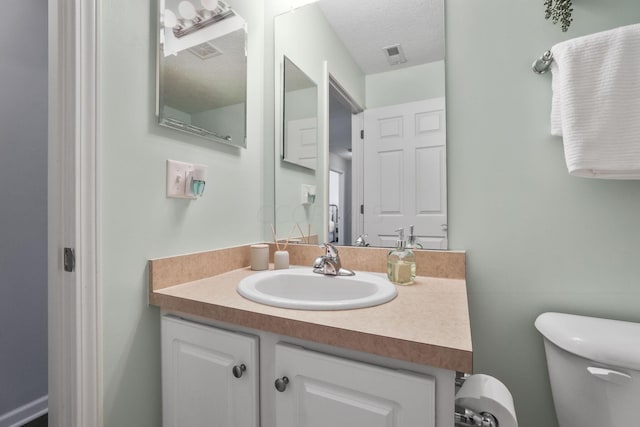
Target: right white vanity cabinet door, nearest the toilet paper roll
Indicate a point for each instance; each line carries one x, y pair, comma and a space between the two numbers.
325, 390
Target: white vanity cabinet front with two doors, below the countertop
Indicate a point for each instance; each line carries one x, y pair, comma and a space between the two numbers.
291, 383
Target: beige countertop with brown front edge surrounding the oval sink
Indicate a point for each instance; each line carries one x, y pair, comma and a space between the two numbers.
427, 323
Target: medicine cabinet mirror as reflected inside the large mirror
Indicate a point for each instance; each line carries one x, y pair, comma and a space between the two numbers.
300, 117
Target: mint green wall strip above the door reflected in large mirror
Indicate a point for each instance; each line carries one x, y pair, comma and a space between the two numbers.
405, 85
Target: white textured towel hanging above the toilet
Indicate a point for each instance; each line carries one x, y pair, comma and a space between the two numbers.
596, 103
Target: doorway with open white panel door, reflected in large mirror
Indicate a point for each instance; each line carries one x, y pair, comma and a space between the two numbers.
391, 175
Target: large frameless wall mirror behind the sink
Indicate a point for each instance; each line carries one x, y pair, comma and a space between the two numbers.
379, 67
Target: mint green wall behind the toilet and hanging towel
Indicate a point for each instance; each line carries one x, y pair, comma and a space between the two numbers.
537, 239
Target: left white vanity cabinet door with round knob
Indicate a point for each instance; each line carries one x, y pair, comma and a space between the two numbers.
199, 386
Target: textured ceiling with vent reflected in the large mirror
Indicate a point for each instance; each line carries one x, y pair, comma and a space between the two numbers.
366, 27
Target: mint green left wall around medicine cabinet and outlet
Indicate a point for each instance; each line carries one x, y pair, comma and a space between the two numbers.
138, 221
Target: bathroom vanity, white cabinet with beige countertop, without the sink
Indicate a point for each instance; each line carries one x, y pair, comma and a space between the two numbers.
233, 362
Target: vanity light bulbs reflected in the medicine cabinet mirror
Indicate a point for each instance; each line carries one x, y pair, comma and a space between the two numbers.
191, 19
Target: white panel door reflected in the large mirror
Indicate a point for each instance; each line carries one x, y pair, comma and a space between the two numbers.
405, 176
